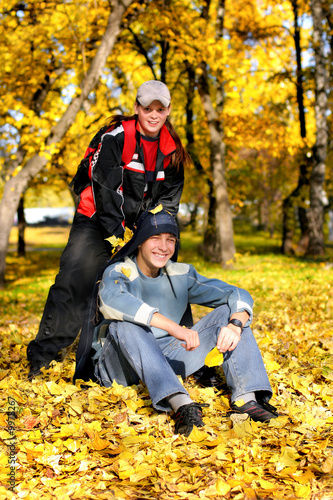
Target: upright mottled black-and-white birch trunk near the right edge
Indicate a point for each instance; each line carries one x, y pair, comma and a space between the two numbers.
317, 179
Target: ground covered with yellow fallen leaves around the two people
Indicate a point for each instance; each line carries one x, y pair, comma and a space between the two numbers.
78, 442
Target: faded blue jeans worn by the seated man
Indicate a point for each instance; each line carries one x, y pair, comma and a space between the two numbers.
132, 353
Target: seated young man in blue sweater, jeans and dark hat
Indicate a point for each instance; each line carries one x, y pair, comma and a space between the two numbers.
144, 294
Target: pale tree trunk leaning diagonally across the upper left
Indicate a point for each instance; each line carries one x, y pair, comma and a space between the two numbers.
15, 186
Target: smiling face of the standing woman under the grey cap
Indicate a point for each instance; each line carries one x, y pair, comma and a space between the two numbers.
151, 118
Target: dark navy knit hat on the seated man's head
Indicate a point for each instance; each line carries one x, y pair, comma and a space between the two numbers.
154, 221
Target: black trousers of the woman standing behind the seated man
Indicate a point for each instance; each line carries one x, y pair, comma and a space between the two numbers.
84, 257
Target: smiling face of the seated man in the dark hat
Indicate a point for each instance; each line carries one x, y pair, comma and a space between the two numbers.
155, 252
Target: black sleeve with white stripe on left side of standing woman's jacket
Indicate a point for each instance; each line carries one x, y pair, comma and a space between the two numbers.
107, 178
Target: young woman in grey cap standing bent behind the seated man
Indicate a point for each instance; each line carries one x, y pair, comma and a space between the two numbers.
132, 164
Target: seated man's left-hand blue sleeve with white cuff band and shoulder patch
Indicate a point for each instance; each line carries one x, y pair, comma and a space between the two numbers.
115, 297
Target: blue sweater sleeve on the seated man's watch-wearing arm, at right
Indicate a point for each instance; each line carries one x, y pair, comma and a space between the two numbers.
212, 292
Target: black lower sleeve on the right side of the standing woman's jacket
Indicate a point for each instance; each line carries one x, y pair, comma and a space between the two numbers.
172, 189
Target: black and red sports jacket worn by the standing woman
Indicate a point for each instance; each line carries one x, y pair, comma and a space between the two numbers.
111, 178
